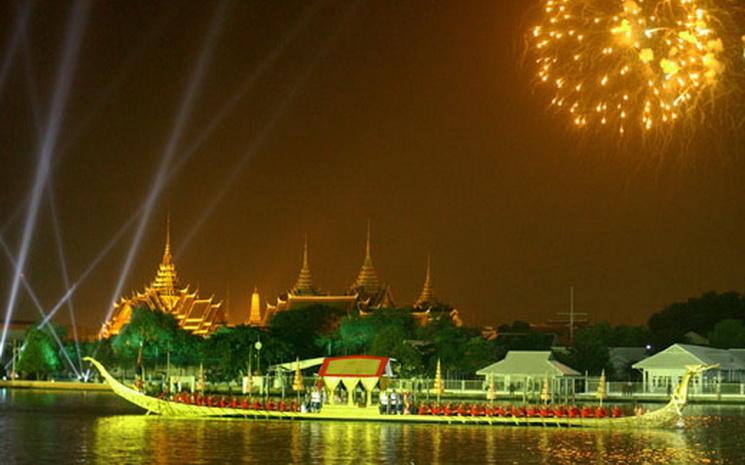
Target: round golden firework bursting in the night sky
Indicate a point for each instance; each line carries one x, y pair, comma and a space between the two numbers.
631, 64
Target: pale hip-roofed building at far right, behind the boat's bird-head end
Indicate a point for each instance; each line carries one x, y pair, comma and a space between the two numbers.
662, 371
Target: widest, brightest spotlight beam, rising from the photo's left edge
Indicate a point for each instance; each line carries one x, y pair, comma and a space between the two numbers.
67, 65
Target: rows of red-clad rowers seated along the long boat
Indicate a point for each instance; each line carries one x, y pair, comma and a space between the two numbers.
473, 409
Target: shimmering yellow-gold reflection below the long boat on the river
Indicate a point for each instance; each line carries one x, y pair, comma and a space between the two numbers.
119, 439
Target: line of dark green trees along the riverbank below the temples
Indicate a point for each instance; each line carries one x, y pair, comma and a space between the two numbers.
151, 338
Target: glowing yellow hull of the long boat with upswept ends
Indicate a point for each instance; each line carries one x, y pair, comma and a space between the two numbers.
667, 416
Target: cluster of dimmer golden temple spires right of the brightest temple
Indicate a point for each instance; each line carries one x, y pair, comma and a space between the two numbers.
367, 293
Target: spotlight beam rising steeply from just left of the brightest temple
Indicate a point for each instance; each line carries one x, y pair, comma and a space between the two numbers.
182, 116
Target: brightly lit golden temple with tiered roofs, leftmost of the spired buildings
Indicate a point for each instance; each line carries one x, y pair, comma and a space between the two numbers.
197, 315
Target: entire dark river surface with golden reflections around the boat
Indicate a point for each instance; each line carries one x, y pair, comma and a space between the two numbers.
99, 428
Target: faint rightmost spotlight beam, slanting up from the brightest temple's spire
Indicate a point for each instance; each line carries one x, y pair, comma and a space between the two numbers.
266, 129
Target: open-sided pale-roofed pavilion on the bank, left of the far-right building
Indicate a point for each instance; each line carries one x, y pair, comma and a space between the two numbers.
524, 372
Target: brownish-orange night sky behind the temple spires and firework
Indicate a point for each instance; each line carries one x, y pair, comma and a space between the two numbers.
419, 116
